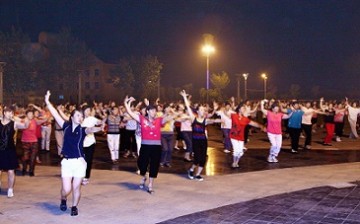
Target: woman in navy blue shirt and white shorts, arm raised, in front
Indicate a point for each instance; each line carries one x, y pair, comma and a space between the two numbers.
73, 165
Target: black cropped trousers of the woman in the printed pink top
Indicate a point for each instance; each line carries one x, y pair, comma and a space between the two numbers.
149, 158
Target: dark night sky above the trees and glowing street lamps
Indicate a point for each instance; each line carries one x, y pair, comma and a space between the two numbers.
301, 42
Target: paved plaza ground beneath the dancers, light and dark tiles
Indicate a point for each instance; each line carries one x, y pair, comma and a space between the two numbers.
316, 186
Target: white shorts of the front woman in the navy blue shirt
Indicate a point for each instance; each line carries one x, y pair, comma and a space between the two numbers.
73, 167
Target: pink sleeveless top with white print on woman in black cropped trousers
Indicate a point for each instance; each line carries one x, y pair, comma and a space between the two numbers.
150, 131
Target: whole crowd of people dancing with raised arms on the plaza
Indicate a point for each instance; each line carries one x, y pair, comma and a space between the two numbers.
150, 131
